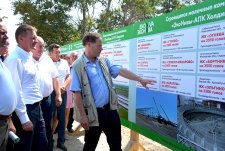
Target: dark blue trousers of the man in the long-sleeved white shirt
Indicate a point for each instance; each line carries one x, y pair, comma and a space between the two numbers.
31, 140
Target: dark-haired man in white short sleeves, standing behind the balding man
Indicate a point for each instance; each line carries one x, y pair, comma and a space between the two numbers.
64, 79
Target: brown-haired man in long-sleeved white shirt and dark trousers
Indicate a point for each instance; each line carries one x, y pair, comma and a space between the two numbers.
28, 118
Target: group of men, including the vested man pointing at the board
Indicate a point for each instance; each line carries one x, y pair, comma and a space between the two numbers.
33, 89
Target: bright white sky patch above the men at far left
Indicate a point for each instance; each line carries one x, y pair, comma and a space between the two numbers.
10, 22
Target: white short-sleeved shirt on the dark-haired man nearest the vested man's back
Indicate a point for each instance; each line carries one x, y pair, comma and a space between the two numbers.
63, 68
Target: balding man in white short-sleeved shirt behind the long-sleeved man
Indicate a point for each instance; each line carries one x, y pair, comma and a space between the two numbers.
49, 80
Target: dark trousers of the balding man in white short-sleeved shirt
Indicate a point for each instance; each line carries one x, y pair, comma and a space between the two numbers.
46, 108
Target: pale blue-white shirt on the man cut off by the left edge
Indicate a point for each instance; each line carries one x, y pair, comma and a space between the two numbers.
8, 98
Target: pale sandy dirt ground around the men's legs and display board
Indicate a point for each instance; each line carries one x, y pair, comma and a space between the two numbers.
75, 141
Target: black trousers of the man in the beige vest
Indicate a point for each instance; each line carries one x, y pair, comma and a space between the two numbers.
109, 123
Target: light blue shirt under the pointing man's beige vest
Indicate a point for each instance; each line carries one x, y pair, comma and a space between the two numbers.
98, 83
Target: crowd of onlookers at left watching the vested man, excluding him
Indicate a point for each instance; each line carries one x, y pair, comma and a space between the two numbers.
35, 96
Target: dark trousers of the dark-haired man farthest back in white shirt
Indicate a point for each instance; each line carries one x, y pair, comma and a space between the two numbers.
61, 115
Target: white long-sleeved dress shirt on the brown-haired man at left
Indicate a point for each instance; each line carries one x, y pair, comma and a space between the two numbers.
25, 77
